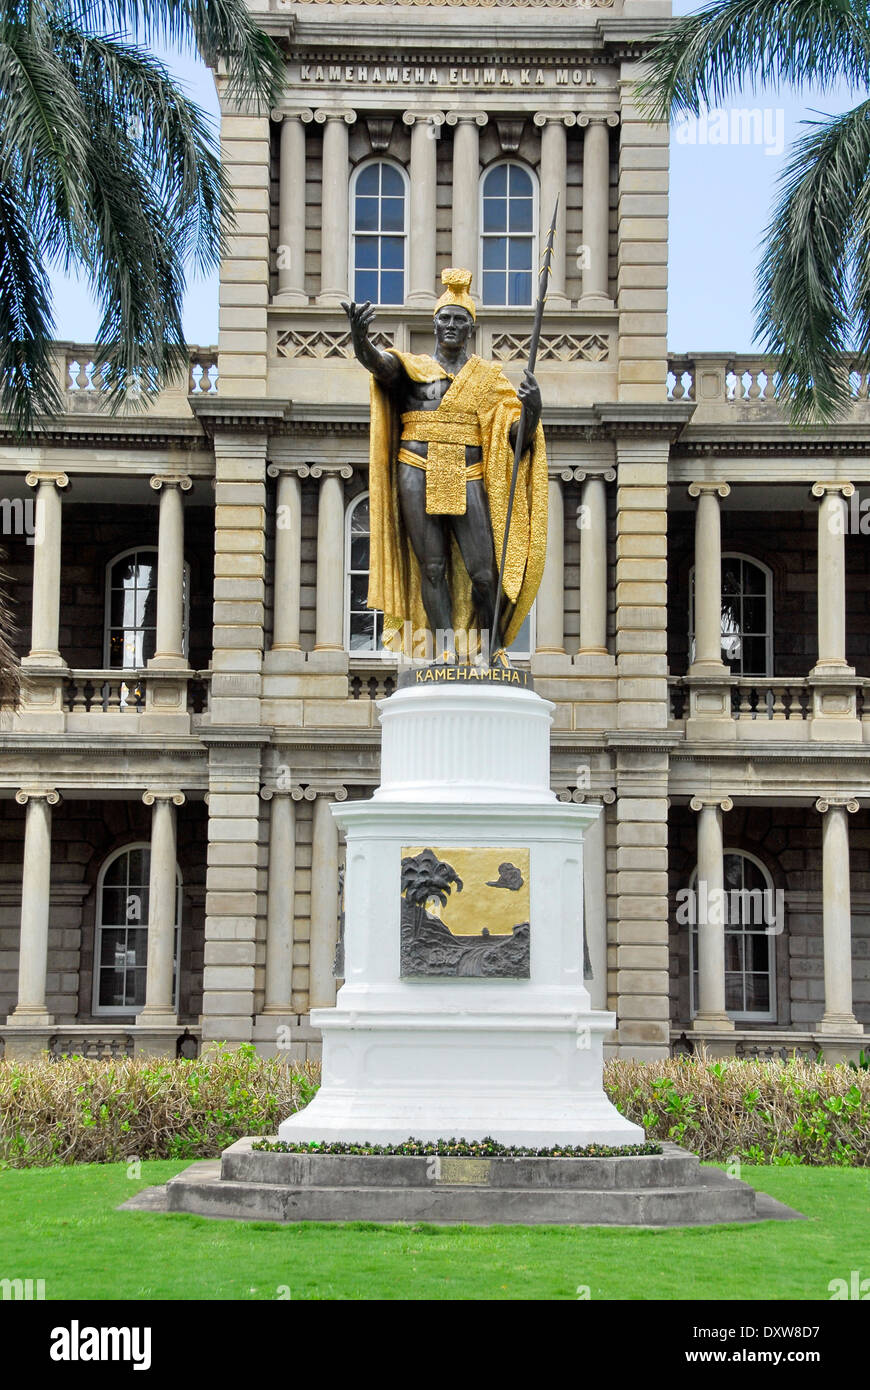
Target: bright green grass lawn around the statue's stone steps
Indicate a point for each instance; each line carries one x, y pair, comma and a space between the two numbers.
62, 1225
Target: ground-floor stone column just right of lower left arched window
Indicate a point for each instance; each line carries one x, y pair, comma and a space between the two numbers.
163, 910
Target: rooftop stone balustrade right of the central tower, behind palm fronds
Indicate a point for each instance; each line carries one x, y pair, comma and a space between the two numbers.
743, 387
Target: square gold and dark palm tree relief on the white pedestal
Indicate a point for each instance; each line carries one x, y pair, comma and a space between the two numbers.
484, 939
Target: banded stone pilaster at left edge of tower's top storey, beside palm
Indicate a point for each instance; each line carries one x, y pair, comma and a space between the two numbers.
245, 158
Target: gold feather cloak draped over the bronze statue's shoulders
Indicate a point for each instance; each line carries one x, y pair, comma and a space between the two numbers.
394, 578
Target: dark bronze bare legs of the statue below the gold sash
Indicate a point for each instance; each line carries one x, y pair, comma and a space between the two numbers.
430, 537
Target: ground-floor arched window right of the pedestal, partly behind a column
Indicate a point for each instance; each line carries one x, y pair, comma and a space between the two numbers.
753, 921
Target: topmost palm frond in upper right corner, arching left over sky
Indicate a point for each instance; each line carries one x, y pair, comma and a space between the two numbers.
707, 56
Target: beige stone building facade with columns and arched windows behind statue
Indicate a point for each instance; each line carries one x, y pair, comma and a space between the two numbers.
201, 675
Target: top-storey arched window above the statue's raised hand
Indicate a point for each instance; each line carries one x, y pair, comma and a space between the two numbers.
379, 218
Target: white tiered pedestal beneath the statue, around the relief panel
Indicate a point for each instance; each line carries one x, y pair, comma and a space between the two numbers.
518, 1060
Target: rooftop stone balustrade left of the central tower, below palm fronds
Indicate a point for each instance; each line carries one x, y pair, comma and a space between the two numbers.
84, 383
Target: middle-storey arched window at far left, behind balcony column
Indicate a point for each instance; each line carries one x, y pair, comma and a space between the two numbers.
131, 610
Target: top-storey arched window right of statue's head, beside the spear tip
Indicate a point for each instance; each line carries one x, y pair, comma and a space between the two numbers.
509, 234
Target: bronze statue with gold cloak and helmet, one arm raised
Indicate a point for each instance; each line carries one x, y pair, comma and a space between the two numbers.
444, 434
